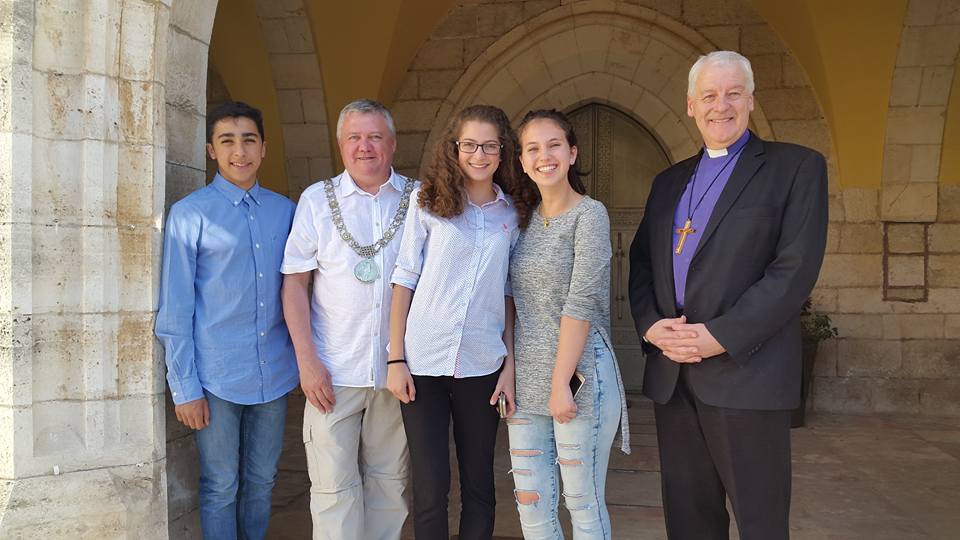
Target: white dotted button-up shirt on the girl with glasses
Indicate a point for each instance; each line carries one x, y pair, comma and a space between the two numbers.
458, 269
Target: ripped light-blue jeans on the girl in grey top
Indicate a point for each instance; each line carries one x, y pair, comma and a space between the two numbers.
581, 448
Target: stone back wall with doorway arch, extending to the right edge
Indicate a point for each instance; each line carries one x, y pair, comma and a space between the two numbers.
890, 278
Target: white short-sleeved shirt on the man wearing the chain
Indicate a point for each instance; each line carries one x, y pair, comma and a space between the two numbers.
349, 319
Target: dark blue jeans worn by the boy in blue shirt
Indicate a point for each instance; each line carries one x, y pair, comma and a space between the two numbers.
239, 452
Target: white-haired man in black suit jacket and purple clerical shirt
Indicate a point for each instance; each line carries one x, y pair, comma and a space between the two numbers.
728, 250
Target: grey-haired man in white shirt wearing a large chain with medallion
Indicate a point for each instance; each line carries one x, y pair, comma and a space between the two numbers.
345, 237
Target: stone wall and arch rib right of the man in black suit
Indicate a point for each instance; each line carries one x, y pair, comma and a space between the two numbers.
891, 279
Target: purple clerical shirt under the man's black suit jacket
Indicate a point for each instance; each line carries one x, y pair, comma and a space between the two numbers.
708, 170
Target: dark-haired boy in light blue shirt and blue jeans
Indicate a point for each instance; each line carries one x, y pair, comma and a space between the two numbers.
230, 362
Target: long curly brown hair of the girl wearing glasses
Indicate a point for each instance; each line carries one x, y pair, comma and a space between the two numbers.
443, 187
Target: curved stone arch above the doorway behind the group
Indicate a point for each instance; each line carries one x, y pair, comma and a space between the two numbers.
624, 57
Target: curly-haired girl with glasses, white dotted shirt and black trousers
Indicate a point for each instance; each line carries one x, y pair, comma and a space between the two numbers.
451, 319
